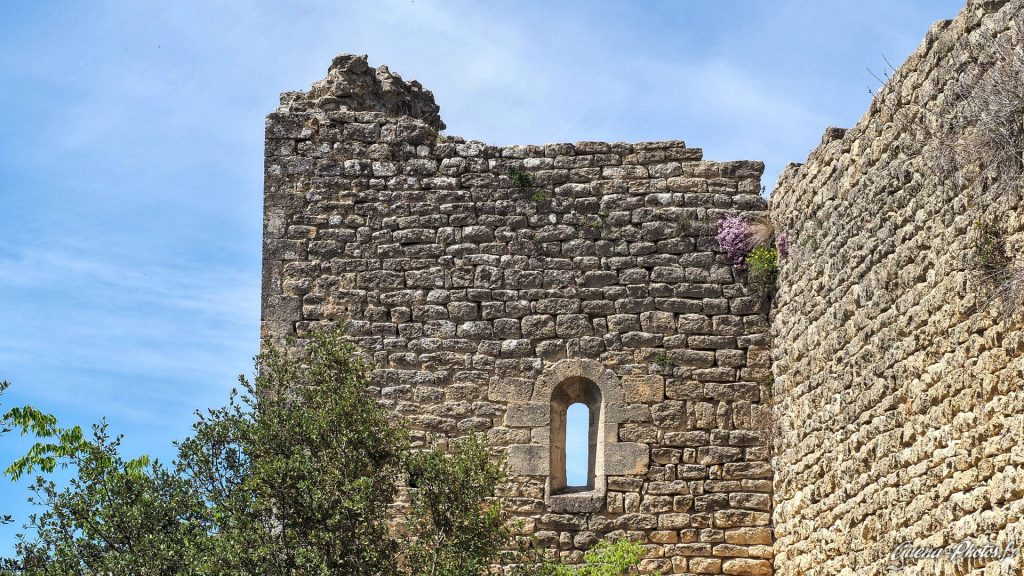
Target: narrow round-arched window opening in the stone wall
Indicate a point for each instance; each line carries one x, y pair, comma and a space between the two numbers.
572, 394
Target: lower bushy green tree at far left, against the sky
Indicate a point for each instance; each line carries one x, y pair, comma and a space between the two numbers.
115, 517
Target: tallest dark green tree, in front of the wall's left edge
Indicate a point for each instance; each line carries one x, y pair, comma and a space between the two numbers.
302, 469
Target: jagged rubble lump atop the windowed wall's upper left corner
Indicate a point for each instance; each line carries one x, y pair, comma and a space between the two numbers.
352, 85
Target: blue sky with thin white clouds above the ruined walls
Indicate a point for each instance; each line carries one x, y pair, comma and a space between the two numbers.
132, 139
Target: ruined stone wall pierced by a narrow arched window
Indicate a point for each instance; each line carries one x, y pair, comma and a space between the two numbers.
488, 299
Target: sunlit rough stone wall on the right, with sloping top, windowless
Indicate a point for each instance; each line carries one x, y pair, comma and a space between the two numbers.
898, 381
